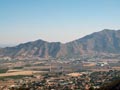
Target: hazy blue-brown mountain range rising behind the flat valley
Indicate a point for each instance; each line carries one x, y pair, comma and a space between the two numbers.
102, 42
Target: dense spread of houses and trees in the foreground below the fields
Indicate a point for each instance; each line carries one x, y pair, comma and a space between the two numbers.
53, 81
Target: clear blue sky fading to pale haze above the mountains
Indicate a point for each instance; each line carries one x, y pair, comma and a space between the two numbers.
55, 20
